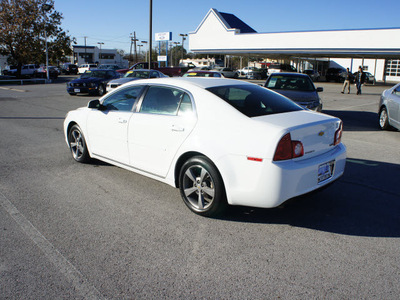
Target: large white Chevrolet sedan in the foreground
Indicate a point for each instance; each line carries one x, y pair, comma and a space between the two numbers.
220, 141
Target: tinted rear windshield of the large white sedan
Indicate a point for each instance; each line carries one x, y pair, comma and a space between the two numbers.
253, 100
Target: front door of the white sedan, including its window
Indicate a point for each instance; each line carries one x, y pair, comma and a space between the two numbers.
108, 126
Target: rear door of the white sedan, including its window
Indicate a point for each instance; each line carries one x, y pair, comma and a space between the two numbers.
164, 120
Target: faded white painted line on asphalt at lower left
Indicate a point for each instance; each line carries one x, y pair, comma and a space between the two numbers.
82, 286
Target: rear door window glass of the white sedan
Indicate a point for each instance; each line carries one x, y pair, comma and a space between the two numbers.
161, 100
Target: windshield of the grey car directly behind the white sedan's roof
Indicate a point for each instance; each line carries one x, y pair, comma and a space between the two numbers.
290, 82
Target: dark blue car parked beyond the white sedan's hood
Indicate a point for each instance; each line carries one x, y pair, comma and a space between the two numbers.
92, 82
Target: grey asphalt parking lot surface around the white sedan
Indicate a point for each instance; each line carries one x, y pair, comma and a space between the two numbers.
95, 231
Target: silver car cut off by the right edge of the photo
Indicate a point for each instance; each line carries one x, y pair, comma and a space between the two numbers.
389, 108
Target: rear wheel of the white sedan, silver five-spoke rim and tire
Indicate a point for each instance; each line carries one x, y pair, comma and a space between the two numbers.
202, 188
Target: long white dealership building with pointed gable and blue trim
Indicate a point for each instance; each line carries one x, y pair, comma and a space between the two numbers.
376, 50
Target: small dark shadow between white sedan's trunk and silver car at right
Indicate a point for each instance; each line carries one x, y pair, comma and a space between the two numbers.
356, 120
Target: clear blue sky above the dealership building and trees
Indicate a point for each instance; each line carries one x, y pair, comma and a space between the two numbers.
111, 22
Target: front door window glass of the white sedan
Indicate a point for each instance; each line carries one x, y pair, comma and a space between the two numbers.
123, 100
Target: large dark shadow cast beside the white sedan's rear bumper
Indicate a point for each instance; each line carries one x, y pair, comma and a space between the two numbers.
364, 202
